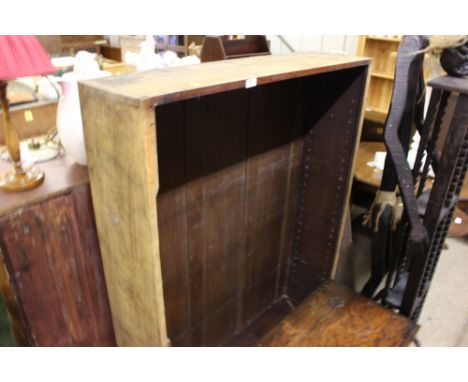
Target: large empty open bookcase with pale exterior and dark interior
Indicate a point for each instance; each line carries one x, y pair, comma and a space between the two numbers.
300, 125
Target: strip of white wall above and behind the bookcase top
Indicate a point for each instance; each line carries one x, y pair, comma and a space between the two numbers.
314, 43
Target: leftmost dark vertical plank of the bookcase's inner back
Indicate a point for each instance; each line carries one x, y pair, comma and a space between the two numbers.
172, 219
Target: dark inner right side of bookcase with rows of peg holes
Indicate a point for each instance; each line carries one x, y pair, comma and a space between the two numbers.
335, 108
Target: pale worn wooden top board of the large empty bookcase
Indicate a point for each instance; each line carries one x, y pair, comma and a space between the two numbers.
174, 84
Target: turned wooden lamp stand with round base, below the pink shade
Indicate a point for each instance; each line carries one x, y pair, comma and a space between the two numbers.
21, 178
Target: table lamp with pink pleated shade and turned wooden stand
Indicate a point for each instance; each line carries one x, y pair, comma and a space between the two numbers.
20, 56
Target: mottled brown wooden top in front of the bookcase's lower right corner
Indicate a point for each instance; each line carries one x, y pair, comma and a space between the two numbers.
334, 316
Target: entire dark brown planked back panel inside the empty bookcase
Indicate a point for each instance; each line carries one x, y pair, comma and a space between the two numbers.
226, 206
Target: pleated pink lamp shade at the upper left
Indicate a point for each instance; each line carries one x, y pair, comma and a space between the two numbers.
23, 56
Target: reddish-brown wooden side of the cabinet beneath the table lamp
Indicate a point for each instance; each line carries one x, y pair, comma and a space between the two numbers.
51, 253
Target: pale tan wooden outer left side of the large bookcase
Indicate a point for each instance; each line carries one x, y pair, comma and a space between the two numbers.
123, 170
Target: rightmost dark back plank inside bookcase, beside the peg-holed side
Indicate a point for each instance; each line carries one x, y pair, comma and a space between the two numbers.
273, 119
